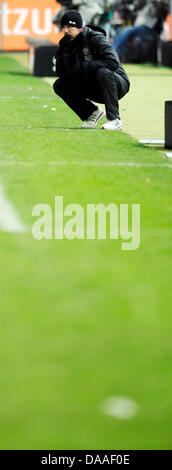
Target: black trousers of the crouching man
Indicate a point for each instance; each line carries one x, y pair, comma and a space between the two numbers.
103, 87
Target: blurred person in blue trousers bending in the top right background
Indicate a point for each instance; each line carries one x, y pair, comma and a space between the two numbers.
147, 26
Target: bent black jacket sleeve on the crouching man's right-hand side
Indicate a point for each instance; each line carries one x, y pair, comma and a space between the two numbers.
106, 56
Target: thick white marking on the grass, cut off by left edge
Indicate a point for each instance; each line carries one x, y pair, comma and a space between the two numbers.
9, 220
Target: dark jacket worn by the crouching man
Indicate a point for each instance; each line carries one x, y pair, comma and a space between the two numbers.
85, 54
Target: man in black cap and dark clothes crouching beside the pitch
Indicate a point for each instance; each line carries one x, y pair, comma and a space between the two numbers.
89, 69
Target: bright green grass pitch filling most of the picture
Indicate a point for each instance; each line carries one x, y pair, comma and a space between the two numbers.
81, 320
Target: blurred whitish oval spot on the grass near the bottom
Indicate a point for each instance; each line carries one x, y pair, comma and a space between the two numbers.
120, 407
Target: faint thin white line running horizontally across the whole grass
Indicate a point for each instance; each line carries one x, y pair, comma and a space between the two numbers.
91, 164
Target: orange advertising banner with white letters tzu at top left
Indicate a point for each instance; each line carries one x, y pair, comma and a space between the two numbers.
22, 18
